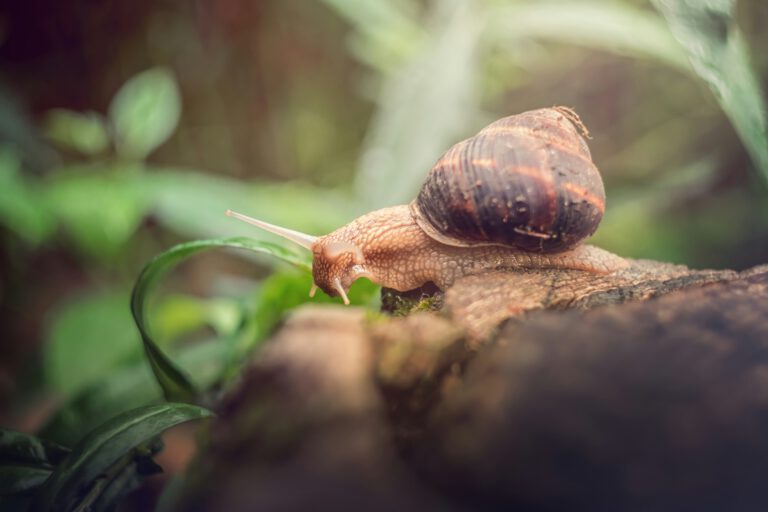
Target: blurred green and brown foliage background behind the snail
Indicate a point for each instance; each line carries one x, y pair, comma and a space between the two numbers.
128, 127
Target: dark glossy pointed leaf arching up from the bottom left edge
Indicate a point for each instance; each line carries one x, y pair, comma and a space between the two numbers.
104, 447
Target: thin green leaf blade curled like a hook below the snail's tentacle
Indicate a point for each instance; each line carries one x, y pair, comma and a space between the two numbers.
175, 384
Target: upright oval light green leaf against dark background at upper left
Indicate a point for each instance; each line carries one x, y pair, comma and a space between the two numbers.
145, 112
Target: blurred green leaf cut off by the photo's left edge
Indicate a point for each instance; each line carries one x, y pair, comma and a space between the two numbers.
22, 208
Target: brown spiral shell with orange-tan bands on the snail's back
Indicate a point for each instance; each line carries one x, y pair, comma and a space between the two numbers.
526, 181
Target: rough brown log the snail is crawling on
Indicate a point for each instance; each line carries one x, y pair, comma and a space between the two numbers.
646, 390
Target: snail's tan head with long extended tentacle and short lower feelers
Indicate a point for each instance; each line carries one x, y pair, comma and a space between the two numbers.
336, 264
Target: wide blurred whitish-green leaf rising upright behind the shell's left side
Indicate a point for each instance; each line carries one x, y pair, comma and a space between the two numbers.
424, 108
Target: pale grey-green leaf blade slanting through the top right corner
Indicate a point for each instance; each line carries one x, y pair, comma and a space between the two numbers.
717, 50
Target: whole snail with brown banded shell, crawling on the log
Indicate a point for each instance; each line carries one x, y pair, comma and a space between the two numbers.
523, 194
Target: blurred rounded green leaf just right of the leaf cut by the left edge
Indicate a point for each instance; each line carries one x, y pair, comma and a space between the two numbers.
100, 208
